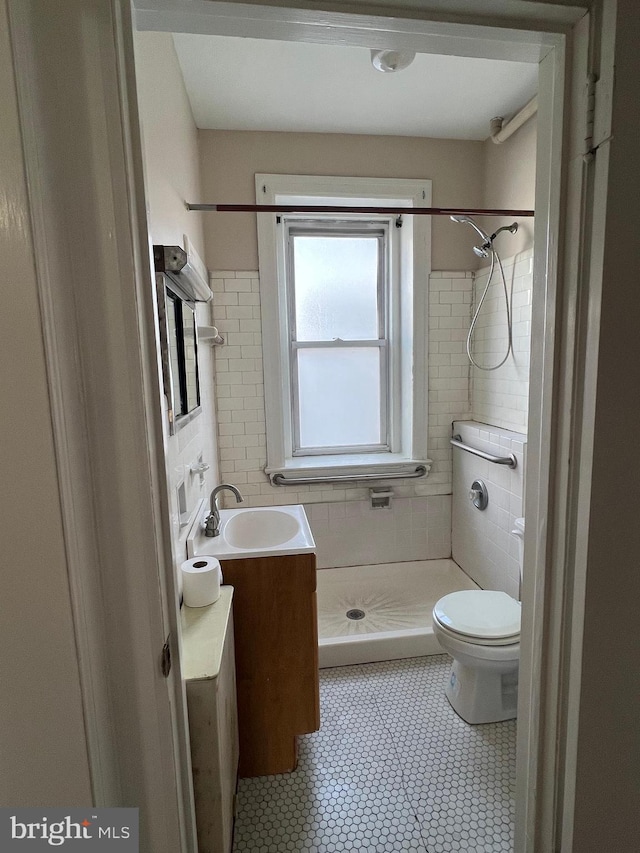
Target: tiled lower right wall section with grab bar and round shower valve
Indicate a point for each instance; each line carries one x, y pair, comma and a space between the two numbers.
482, 542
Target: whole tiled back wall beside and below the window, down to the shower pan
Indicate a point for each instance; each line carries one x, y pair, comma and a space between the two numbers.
418, 524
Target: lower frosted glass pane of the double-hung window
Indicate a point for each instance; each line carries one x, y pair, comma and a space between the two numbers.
339, 396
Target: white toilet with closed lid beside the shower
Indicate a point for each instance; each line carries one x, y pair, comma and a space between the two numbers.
480, 629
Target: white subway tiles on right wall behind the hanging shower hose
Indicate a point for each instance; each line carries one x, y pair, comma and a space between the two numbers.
501, 396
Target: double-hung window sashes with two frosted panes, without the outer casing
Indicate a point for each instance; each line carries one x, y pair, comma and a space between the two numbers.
339, 298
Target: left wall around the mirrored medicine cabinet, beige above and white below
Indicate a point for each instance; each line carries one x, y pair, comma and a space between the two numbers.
172, 175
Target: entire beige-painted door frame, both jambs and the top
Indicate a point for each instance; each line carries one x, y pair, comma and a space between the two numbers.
106, 397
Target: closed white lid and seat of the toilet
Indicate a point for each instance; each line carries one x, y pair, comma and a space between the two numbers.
479, 613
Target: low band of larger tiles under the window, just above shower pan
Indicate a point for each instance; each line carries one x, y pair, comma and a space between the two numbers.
353, 534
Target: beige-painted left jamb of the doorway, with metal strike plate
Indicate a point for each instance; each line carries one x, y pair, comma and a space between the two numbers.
93, 259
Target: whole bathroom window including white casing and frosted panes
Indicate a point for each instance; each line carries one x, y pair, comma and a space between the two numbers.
344, 317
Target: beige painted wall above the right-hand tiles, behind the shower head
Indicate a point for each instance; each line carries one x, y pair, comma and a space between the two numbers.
509, 172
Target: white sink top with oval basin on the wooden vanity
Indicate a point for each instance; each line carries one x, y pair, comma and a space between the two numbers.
252, 532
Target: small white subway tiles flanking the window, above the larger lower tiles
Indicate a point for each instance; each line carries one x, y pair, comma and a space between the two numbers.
240, 390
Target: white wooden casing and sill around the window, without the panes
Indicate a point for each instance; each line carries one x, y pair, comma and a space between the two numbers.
410, 260
